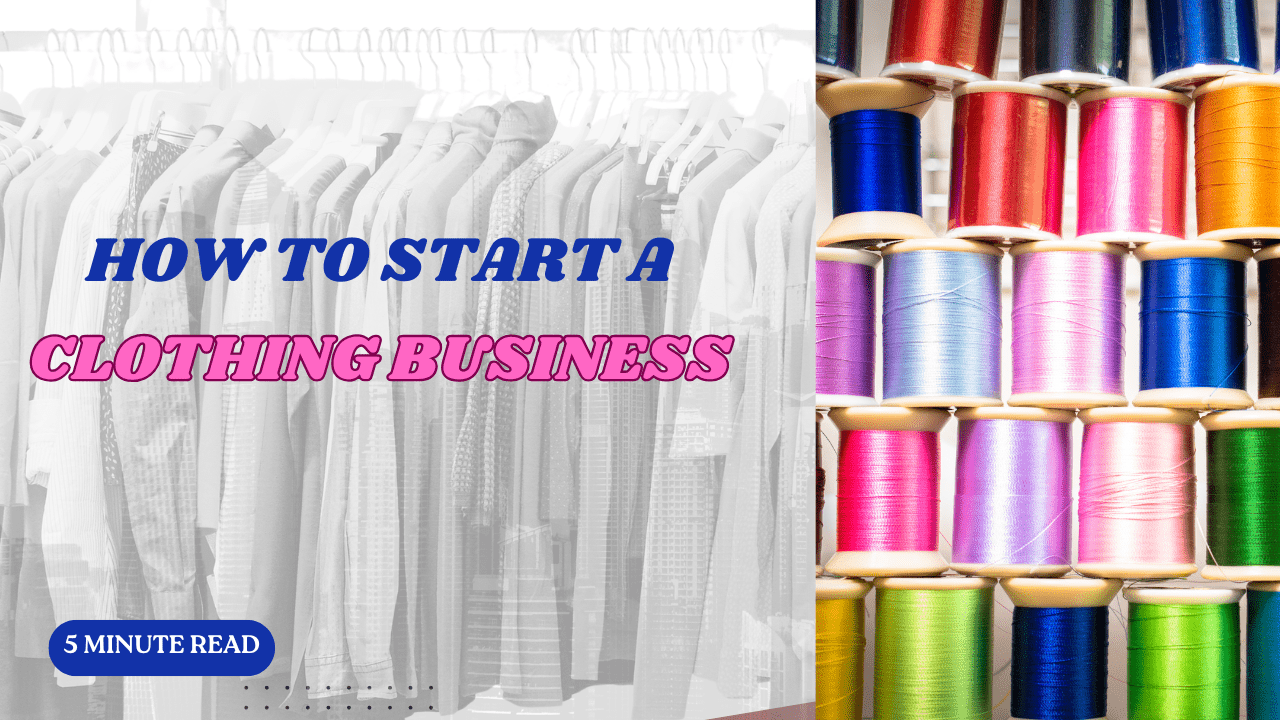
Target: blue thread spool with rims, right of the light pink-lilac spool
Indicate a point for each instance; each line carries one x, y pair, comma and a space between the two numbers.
1194, 326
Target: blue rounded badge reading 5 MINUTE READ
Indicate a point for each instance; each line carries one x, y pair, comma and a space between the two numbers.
162, 648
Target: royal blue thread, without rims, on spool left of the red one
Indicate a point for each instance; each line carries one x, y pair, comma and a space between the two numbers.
876, 162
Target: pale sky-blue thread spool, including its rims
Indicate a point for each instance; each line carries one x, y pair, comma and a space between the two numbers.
941, 325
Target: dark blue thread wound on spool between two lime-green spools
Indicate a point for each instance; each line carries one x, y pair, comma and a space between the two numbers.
1060, 663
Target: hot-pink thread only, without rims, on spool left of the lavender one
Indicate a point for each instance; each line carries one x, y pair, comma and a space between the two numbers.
888, 491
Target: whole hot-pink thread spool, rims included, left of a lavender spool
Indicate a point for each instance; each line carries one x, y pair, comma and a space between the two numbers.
888, 516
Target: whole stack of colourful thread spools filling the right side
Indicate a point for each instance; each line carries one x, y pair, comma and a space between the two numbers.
1060, 526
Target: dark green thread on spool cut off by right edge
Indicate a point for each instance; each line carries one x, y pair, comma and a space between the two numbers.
1244, 496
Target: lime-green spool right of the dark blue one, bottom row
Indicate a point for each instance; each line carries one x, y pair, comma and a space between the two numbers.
1185, 654
